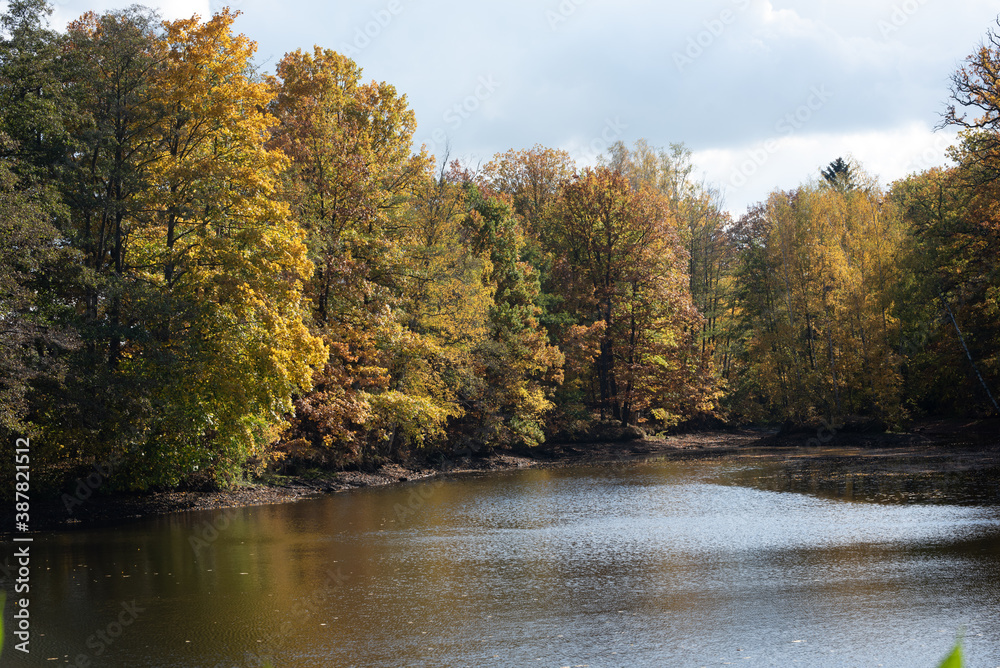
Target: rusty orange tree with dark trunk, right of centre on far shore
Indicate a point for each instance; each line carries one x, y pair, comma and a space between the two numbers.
620, 260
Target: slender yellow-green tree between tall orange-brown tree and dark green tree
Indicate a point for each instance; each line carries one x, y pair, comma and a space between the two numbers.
440, 316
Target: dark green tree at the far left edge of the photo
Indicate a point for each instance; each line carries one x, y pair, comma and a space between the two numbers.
36, 271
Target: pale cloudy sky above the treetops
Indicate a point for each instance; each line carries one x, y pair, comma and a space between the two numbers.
764, 92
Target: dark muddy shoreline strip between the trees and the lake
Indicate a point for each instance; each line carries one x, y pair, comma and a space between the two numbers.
945, 445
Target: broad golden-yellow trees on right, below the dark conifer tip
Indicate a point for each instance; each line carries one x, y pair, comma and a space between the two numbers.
815, 305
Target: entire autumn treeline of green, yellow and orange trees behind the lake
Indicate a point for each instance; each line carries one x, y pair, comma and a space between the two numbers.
204, 268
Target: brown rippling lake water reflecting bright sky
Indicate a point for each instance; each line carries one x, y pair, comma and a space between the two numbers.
643, 564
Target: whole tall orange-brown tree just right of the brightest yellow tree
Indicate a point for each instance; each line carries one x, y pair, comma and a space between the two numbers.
351, 181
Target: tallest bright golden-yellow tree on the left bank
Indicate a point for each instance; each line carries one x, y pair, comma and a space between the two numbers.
214, 266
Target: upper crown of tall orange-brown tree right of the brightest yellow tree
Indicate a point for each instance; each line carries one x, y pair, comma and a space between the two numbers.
351, 170
